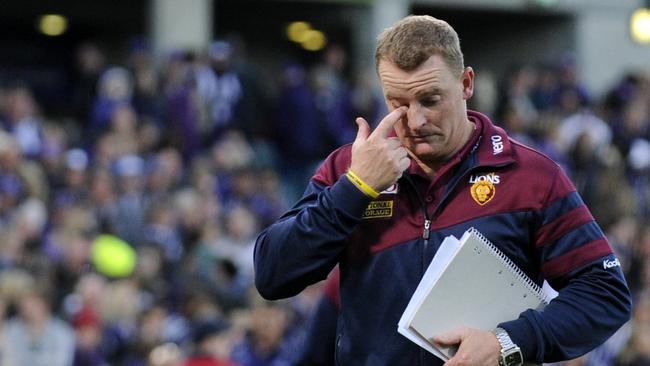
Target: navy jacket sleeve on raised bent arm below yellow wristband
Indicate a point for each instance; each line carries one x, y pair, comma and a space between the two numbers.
304, 245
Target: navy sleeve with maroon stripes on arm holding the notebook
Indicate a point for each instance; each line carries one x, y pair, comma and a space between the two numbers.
577, 260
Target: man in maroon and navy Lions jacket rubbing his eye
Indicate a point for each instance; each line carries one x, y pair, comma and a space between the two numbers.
381, 207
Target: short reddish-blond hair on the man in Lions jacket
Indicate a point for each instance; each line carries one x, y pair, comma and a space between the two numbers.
411, 41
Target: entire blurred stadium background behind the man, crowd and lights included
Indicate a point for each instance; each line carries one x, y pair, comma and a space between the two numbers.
144, 144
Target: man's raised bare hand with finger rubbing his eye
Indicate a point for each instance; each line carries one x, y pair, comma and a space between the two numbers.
377, 159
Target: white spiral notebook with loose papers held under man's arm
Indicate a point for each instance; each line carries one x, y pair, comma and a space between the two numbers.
469, 282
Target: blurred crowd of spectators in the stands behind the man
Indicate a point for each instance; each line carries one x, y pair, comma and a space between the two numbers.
127, 227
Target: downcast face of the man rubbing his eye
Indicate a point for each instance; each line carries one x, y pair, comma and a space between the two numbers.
435, 125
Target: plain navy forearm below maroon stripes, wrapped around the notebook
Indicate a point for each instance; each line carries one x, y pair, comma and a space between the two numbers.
593, 305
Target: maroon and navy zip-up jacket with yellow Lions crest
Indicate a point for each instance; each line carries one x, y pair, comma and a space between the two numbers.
531, 211
